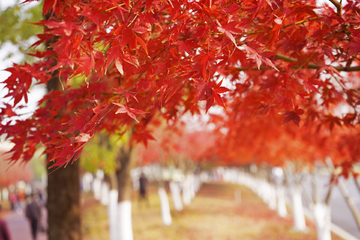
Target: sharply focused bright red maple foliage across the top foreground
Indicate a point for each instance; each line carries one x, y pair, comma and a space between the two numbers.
142, 58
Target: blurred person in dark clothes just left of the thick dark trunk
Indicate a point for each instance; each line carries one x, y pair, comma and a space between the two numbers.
33, 214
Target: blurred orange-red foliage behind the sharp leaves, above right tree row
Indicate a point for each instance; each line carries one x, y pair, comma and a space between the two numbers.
243, 140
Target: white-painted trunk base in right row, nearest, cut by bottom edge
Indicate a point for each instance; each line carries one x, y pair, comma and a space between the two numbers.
322, 221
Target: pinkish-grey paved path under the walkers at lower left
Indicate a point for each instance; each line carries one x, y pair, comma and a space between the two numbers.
20, 227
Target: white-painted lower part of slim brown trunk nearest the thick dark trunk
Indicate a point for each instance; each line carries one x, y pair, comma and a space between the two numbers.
124, 224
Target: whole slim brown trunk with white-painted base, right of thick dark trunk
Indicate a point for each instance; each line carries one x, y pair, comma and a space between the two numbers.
124, 198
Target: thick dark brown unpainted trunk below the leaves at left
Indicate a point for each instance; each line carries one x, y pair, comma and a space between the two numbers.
63, 203
